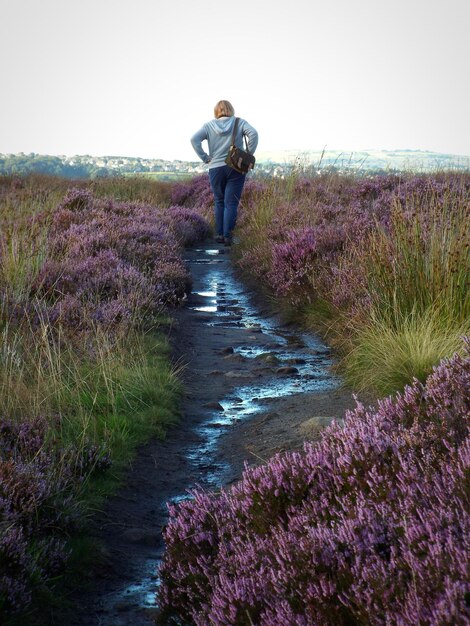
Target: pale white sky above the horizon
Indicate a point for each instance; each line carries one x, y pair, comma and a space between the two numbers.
139, 77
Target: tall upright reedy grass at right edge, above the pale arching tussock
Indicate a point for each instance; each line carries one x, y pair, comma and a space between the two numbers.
420, 262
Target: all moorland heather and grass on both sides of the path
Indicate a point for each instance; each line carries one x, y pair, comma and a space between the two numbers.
368, 525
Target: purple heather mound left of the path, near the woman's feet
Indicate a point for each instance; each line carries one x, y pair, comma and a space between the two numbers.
115, 262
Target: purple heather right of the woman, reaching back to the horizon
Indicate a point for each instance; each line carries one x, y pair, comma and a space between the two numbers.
343, 214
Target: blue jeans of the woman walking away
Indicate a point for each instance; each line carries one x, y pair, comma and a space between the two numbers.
227, 186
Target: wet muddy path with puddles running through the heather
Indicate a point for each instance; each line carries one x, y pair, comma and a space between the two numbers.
252, 387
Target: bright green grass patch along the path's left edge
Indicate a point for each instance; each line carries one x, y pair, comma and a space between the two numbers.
126, 395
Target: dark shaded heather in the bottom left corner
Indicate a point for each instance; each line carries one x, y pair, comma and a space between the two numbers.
38, 484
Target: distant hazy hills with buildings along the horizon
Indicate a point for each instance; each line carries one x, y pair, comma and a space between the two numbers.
274, 163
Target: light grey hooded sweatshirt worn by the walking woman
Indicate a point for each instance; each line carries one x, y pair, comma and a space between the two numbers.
218, 133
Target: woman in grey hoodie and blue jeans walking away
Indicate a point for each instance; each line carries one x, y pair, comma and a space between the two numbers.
226, 183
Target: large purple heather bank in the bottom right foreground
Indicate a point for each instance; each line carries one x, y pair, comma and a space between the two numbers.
369, 525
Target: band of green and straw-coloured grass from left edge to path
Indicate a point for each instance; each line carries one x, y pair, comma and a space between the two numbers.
115, 391
